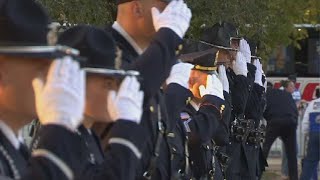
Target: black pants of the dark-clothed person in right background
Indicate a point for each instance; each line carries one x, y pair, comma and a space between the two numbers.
288, 135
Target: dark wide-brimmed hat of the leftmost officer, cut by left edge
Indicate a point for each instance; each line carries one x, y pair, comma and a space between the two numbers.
24, 31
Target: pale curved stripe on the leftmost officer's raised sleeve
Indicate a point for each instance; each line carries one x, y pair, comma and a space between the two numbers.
56, 160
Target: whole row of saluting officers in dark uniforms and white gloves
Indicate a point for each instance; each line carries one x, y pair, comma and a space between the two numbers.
131, 101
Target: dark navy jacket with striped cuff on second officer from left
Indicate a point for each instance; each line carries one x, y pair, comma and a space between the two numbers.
121, 155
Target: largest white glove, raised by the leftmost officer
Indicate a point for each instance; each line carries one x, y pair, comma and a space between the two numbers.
61, 99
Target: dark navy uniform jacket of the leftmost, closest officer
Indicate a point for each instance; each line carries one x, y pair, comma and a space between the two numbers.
57, 146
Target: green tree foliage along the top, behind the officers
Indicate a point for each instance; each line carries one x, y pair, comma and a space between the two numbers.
270, 22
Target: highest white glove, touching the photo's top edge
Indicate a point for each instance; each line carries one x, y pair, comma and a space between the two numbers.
176, 16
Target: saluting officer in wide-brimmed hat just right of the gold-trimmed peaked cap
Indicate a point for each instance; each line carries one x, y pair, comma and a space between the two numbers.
235, 62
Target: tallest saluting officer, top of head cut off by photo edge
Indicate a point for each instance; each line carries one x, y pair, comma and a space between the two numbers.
149, 41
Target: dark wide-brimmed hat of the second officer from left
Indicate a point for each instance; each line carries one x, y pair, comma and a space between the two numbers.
98, 47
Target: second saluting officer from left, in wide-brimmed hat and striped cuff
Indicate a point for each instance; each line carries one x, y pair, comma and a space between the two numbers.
119, 99
